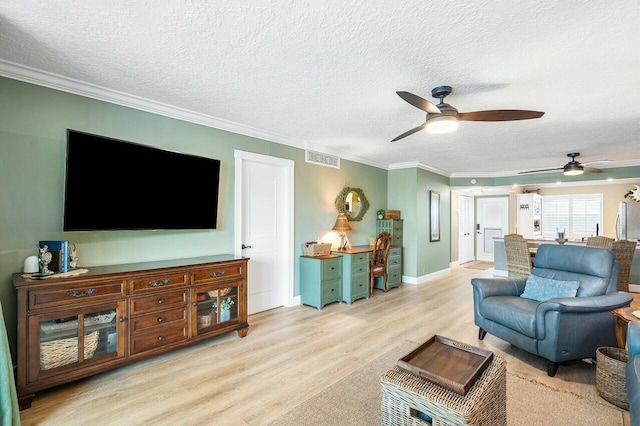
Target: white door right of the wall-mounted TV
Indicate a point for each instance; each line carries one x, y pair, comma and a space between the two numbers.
264, 228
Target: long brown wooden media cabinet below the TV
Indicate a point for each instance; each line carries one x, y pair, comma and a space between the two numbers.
74, 327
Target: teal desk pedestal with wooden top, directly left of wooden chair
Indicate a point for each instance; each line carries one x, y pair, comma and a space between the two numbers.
355, 272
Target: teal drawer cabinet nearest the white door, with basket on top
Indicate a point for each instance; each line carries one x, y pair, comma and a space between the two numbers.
320, 280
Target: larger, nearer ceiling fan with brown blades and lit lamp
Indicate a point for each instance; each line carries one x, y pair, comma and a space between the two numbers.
443, 118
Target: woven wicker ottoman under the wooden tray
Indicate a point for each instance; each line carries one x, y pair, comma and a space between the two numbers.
407, 398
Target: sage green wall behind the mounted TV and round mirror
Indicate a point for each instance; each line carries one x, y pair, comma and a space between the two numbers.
33, 124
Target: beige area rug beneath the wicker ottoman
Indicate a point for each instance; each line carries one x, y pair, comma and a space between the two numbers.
355, 400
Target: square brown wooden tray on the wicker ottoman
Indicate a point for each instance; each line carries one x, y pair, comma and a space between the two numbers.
451, 364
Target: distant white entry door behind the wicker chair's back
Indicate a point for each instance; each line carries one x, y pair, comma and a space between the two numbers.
492, 222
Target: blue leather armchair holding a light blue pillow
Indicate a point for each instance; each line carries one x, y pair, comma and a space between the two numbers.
559, 329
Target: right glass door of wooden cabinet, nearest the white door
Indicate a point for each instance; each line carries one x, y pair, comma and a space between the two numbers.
214, 306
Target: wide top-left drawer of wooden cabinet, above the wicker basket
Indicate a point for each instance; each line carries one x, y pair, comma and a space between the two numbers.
74, 294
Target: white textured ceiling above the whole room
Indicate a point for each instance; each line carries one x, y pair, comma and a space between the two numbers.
323, 74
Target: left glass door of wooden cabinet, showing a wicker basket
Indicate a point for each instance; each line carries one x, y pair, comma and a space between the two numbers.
88, 335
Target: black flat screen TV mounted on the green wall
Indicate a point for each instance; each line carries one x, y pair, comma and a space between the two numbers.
112, 184
